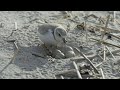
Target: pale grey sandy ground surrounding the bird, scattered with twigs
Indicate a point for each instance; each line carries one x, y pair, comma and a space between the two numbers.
28, 66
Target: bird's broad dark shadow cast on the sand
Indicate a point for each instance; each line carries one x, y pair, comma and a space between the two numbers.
27, 61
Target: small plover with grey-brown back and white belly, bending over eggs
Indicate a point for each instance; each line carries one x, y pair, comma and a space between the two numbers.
52, 34
